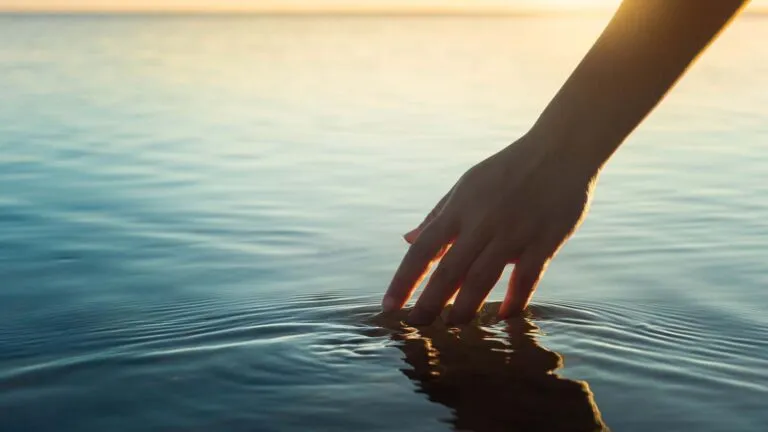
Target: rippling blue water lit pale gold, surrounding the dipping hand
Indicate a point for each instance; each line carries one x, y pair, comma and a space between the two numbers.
199, 215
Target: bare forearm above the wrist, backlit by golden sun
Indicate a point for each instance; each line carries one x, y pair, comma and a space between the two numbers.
645, 48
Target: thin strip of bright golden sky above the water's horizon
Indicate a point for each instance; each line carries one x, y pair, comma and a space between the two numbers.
313, 5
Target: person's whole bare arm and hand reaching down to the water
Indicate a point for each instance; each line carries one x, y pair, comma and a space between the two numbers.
522, 204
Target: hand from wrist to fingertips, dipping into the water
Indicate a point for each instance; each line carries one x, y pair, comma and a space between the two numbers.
517, 207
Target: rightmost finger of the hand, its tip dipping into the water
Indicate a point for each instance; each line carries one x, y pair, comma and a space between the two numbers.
526, 275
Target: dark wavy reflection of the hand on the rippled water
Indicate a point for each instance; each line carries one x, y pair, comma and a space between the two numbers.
493, 375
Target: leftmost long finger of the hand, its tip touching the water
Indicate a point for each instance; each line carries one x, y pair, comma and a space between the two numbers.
415, 265
